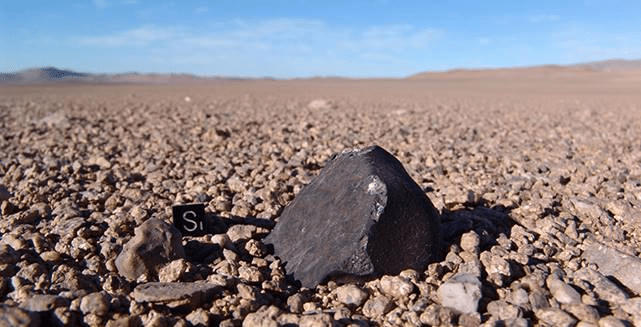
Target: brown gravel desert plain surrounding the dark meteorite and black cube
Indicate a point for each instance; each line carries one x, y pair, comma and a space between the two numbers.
537, 179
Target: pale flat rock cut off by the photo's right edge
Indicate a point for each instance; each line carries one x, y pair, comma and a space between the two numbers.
623, 267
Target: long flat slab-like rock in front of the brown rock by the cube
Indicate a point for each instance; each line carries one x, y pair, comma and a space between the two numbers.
175, 295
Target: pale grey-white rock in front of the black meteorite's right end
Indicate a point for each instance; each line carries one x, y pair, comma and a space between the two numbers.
462, 293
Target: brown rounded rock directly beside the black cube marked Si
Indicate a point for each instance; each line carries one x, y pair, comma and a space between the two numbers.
155, 244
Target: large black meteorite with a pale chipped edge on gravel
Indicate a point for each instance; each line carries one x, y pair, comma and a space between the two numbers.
362, 216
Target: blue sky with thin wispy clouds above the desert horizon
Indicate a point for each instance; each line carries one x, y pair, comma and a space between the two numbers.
379, 38
